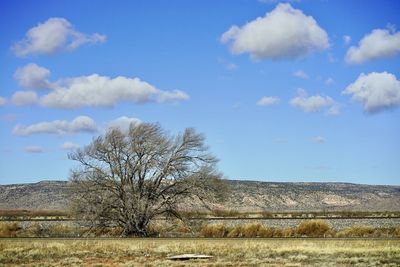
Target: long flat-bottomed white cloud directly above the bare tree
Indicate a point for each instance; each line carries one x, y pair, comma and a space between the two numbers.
103, 91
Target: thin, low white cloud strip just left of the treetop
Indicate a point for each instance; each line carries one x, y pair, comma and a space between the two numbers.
77, 125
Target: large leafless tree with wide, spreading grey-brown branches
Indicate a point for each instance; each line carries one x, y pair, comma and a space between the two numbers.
128, 179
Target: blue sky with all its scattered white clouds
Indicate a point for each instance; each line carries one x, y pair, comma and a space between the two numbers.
295, 91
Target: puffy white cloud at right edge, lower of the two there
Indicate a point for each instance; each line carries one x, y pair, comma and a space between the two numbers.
375, 91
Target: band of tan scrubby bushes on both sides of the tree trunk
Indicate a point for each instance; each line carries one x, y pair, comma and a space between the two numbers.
177, 228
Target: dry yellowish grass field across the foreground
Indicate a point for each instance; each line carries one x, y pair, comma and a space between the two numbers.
226, 252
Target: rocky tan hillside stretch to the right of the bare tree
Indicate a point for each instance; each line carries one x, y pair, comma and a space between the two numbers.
313, 196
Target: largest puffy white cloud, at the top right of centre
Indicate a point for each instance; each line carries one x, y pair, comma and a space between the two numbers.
283, 33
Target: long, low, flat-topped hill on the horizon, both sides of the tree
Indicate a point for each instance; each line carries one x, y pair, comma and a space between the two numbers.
242, 195
